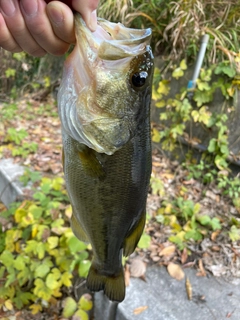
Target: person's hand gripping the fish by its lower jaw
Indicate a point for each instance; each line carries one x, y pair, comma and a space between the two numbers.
36, 27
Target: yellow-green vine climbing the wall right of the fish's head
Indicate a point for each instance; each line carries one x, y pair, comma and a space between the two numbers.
179, 113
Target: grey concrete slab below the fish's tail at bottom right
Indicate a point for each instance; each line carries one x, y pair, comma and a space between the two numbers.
166, 298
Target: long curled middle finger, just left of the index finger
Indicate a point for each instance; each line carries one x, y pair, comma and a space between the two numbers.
38, 24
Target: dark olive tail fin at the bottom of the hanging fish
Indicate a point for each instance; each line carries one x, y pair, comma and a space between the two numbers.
113, 286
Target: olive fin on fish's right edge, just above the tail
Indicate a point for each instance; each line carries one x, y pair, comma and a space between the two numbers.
132, 239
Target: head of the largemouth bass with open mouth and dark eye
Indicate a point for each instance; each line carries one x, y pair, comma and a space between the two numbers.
109, 77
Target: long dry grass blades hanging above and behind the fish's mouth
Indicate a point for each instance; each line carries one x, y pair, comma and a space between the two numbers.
178, 25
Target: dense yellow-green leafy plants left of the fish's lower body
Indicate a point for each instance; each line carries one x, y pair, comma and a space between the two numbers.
39, 255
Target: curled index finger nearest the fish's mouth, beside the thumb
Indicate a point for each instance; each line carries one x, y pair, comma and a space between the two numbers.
62, 21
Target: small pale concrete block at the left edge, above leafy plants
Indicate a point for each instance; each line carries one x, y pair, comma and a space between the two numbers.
11, 189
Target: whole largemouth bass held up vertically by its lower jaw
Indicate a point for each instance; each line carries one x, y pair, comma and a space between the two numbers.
104, 106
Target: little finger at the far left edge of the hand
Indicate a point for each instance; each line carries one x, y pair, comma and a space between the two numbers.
7, 42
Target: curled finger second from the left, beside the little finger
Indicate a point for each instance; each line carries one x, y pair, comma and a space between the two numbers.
15, 23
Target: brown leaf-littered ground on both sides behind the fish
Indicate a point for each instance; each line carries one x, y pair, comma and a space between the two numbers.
214, 252
